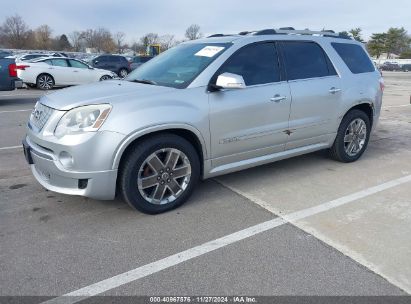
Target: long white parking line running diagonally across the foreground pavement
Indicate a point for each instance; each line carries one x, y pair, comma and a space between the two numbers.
154, 267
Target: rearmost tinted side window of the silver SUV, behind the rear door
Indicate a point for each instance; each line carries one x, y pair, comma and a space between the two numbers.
354, 57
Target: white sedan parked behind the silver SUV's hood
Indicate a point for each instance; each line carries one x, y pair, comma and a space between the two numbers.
46, 73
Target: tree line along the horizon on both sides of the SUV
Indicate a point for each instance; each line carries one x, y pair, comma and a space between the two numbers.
16, 34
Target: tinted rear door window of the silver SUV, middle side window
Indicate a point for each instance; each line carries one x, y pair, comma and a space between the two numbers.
305, 60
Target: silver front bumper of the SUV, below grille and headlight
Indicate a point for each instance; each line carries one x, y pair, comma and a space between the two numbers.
49, 172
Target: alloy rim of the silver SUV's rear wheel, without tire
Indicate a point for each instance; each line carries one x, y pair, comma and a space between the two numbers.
355, 137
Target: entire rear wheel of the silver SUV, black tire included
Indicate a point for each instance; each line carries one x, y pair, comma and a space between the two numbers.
351, 142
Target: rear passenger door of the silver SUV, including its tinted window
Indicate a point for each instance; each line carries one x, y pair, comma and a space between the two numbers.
316, 93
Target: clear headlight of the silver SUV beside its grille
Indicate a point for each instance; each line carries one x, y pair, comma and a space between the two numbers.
82, 119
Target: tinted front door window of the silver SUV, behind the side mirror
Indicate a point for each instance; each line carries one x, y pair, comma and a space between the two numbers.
257, 63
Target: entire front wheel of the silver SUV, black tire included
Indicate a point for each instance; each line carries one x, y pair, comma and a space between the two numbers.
150, 190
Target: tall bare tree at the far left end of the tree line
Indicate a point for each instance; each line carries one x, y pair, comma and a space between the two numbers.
14, 32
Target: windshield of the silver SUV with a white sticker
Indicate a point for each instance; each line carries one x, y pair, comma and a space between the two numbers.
178, 66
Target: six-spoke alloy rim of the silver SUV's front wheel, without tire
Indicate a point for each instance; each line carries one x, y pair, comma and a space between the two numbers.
163, 176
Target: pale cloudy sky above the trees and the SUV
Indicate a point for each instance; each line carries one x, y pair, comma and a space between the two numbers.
138, 17
